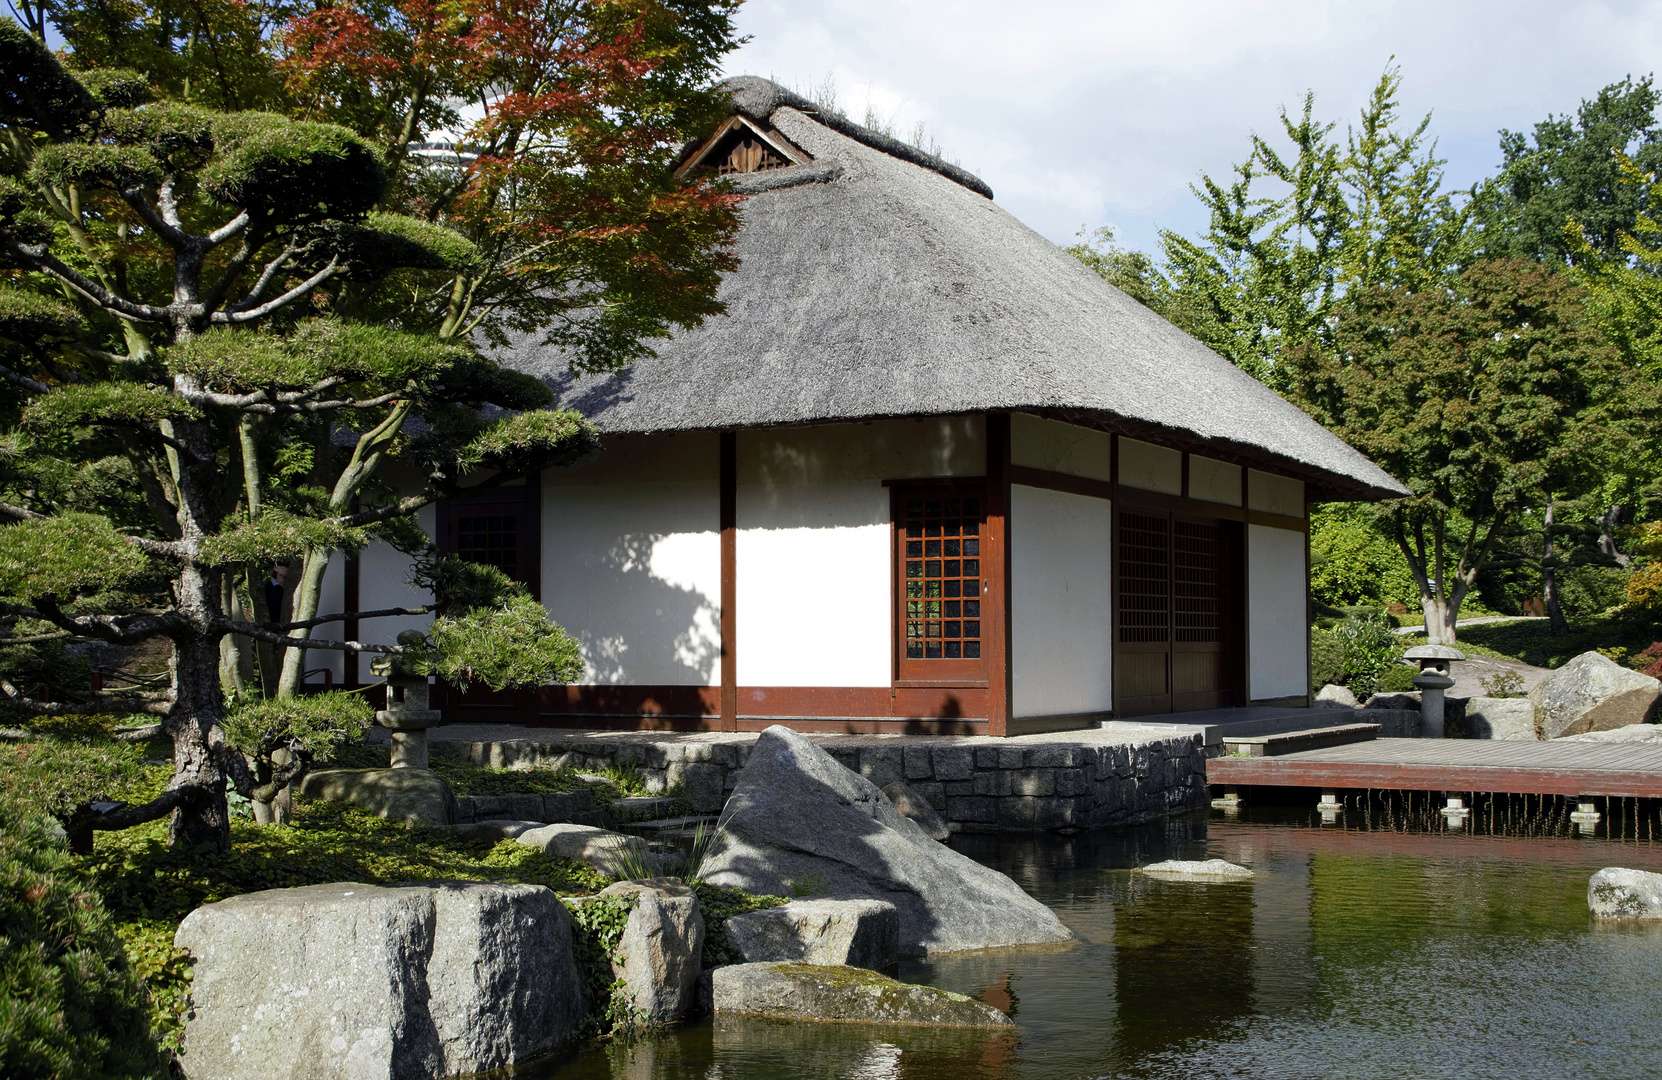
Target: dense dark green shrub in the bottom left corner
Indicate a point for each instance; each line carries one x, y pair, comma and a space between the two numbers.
71, 1003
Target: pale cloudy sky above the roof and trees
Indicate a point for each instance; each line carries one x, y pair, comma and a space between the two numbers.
1103, 114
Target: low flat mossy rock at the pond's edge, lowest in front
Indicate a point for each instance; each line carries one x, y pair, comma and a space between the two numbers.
847, 994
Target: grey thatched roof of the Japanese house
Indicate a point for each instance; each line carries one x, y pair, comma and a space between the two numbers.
878, 282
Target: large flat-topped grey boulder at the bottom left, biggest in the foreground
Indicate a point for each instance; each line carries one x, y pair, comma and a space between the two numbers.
366, 983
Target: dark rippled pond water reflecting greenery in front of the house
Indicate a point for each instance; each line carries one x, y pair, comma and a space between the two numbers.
1382, 945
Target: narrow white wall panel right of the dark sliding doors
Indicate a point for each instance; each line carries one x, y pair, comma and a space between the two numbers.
1277, 599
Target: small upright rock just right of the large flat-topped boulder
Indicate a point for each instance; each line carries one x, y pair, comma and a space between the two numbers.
659, 955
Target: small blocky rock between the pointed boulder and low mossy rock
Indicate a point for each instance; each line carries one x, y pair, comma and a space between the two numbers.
853, 933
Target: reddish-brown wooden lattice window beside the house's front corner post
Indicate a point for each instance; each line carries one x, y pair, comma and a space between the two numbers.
942, 577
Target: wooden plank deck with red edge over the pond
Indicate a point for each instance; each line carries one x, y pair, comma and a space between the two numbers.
1626, 770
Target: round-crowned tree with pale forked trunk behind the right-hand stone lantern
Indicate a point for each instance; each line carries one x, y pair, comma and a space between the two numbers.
1487, 400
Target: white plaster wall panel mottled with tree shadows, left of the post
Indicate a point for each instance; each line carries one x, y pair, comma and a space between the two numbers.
632, 561
